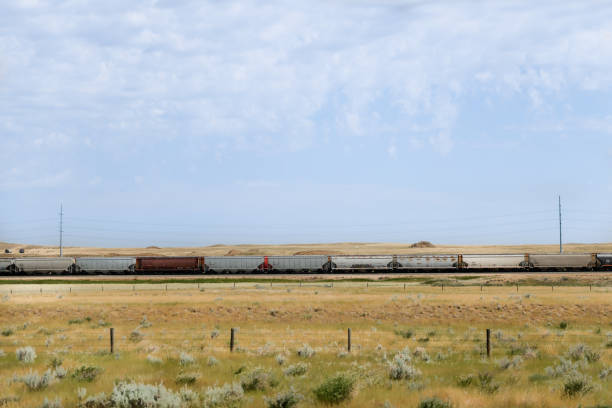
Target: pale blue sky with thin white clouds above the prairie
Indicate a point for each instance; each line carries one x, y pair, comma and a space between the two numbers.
176, 123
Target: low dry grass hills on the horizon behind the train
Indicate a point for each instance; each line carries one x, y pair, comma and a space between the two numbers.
351, 248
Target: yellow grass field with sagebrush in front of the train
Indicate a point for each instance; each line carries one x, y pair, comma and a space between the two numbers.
409, 343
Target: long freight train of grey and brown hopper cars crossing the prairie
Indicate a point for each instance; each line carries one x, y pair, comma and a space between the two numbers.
305, 264
